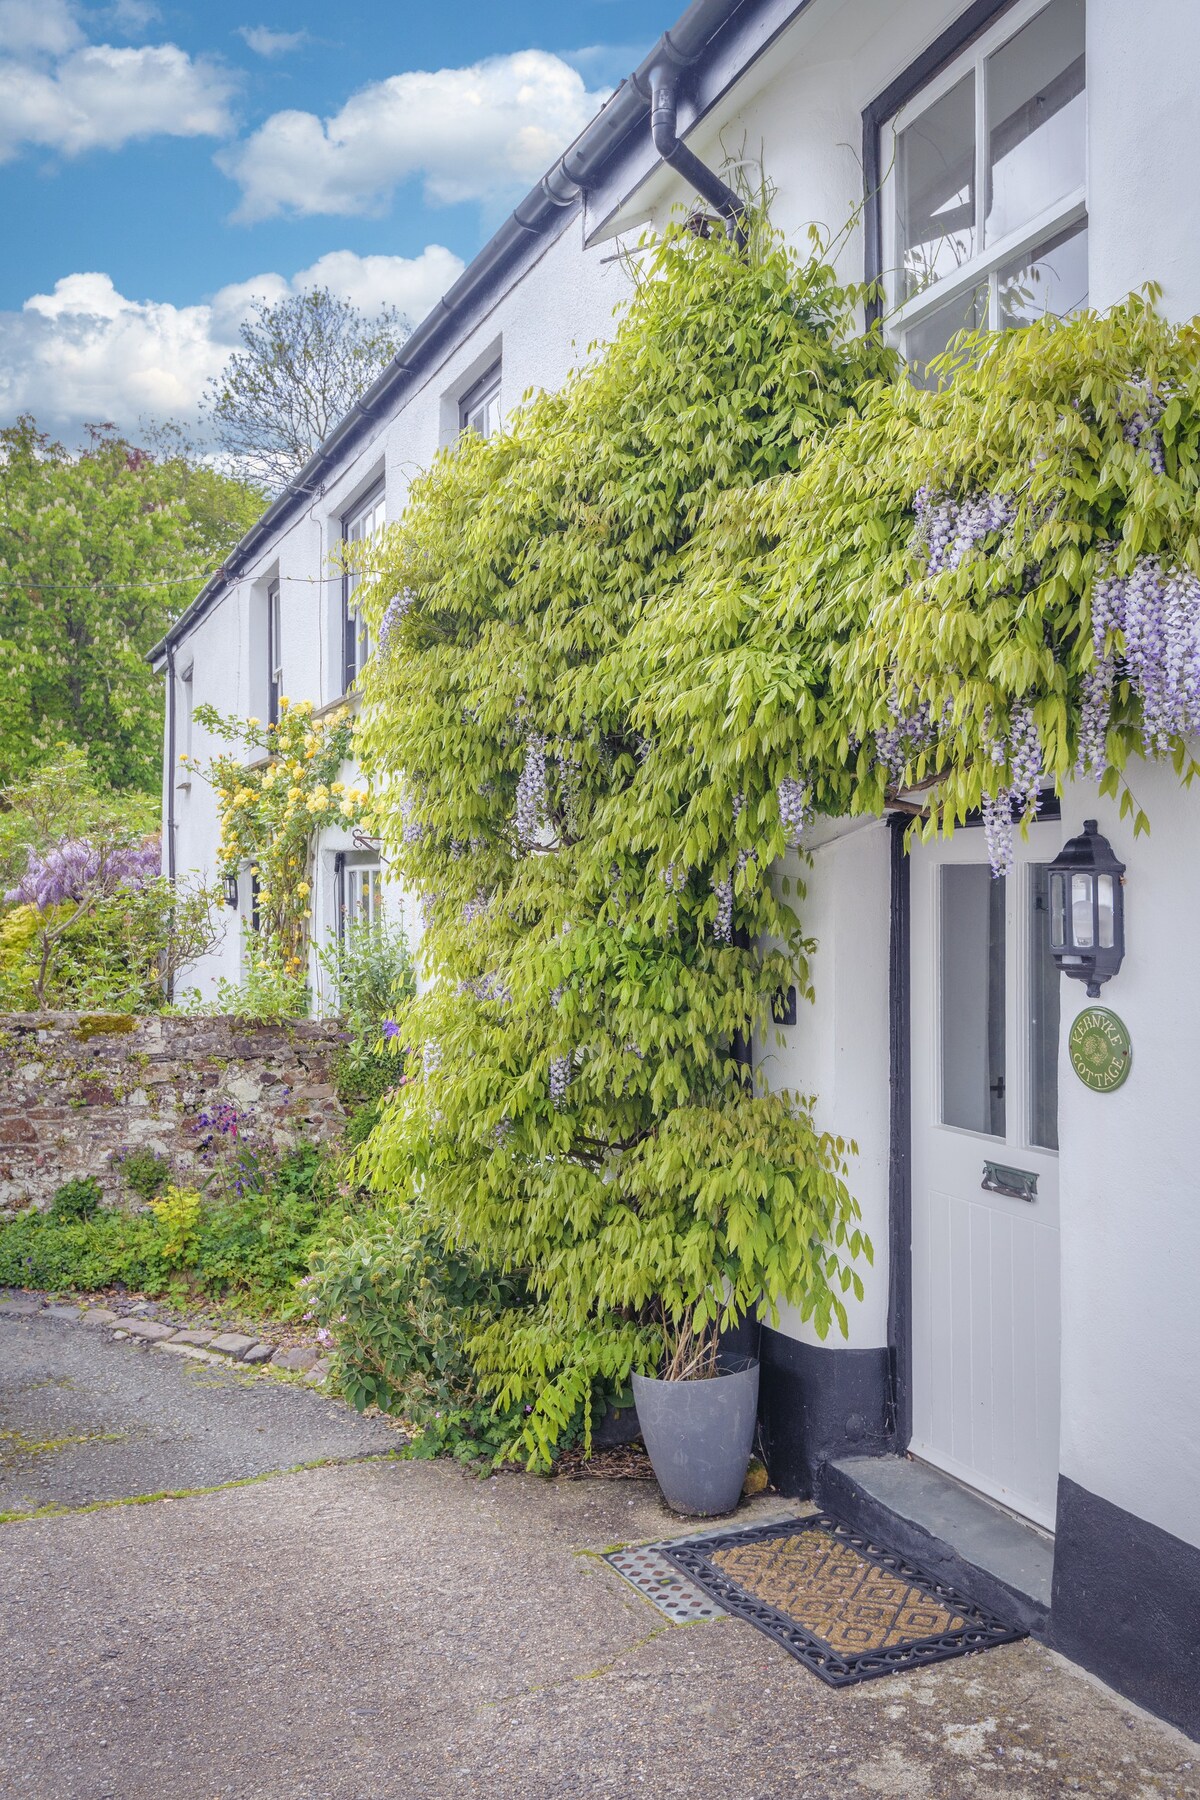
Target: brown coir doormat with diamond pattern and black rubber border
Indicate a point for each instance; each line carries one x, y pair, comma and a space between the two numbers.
836, 1601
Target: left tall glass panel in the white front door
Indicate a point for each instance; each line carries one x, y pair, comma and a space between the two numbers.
972, 1000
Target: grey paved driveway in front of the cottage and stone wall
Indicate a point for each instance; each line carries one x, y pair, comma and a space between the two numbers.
404, 1632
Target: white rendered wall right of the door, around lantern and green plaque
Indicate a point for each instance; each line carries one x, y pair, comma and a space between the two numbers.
1131, 1183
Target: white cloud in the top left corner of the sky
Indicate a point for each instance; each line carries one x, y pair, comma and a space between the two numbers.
60, 93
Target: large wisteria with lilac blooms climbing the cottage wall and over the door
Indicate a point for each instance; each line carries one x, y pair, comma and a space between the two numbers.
733, 575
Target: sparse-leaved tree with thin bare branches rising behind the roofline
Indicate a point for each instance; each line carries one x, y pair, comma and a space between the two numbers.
303, 364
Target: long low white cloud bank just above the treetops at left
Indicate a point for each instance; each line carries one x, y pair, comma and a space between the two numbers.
87, 354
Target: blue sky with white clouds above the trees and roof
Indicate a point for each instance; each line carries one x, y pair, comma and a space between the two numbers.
161, 165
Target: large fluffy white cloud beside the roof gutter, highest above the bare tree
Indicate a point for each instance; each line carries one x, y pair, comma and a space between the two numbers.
470, 134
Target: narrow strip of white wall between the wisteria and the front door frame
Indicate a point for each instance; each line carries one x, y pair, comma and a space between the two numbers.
839, 1047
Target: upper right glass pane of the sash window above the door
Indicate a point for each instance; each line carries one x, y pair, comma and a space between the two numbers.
1037, 130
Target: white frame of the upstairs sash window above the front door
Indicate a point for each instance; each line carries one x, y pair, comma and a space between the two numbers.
989, 258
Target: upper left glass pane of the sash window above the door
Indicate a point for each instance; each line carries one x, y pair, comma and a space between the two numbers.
936, 190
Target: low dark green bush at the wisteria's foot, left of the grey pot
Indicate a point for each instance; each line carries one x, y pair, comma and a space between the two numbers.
395, 1297
